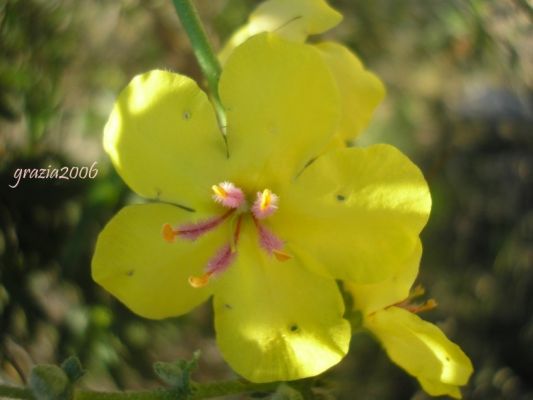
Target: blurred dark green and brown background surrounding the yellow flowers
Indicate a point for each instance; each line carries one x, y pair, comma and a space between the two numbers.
459, 75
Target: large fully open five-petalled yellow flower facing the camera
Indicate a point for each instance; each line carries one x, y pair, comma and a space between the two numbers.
263, 225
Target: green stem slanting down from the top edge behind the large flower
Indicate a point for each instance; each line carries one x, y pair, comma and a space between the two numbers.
203, 51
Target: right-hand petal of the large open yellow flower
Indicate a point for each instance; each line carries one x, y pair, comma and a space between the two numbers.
356, 213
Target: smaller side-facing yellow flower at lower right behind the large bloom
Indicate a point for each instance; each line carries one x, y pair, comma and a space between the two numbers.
419, 347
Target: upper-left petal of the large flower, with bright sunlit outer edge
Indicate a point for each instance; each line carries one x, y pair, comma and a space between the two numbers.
163, 139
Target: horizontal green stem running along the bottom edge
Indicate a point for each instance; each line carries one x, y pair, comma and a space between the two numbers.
201, 391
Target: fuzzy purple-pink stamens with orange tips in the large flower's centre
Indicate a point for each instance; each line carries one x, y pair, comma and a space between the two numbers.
233, 198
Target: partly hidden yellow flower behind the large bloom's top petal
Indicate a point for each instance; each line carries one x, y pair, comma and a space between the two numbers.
361, 91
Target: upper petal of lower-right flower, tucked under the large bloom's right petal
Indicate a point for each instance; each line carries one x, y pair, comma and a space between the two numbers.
371, 297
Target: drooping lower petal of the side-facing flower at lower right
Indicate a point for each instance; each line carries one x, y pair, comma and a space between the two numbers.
422, 350
